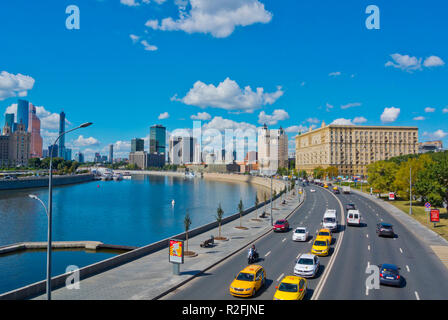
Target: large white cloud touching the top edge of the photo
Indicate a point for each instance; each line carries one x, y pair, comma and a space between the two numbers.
219, 18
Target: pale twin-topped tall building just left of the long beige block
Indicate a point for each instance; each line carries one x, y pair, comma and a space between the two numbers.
272, 149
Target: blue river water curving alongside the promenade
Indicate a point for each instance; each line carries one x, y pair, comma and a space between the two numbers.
133, 212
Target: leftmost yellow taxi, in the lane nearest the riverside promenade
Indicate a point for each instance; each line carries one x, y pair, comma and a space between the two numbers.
248, 281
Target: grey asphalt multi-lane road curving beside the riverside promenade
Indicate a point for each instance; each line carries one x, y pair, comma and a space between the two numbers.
342, 274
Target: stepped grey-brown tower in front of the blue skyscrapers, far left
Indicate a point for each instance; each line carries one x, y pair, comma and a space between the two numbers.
19, 147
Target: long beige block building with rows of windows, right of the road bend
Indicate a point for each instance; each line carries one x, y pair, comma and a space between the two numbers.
351, 148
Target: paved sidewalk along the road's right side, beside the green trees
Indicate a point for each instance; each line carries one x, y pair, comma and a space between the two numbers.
422, 232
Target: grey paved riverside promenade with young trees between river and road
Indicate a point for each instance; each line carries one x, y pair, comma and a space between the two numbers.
151, 276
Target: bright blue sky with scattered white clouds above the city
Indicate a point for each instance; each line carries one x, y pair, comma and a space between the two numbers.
313, 60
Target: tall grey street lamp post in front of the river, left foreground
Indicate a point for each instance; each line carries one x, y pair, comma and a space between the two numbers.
50, 206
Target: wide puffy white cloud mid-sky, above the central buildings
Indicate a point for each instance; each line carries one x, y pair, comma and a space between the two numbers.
229, 96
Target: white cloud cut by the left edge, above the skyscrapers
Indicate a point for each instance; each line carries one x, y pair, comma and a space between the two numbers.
14, 85
